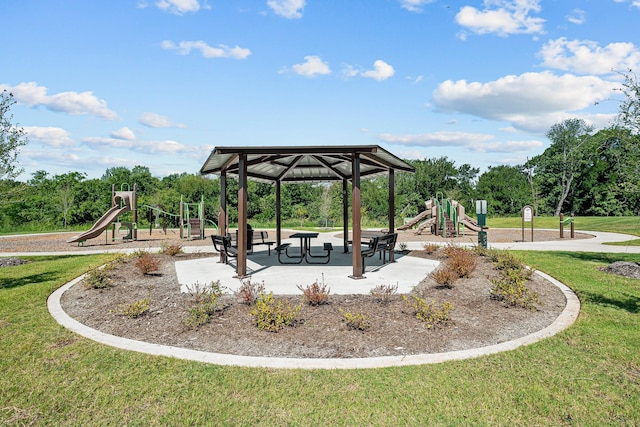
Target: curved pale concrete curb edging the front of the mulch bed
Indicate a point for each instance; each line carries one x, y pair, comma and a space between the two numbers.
563, 321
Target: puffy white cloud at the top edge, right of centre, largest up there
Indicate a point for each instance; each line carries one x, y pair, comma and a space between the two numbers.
502, 17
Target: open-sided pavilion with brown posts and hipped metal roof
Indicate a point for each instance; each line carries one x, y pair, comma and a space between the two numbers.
299, 164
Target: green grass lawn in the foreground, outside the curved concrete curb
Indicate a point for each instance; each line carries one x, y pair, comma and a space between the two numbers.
587, 375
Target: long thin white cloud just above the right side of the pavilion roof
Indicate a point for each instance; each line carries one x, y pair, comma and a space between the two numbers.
473, 142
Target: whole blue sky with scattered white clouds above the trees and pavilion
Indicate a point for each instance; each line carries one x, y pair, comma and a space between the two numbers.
160, 83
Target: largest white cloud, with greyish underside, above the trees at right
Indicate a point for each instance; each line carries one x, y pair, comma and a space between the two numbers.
531, 101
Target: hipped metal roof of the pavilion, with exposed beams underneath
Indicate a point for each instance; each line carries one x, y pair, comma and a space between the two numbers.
304, 163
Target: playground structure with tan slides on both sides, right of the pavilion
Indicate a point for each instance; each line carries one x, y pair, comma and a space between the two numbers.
442, 216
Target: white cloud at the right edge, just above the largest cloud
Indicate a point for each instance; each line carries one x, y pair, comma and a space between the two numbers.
584, 56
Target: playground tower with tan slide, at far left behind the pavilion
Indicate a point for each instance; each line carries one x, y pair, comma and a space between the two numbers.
121, 202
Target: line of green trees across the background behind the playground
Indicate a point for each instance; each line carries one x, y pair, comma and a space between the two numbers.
582, 172
